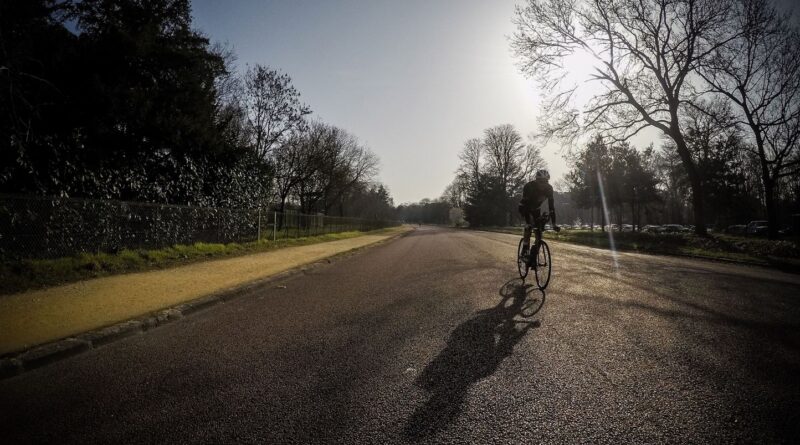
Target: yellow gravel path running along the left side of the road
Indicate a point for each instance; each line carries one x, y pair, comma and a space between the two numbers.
40, 316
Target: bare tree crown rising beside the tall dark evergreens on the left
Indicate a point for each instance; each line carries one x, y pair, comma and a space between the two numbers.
273, 107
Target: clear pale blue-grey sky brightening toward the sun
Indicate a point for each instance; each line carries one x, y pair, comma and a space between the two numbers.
412, 79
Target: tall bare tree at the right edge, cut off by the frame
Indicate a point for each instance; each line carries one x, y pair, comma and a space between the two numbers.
759, 72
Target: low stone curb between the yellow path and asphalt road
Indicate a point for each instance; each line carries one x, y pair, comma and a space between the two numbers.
16, 363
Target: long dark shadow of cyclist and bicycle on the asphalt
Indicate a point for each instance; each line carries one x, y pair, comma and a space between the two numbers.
474, 351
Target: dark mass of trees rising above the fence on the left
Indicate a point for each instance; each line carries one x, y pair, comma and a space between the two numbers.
126, 100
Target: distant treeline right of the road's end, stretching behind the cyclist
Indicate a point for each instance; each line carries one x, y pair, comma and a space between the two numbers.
648, 186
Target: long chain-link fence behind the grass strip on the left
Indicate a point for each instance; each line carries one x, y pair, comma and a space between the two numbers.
48, 227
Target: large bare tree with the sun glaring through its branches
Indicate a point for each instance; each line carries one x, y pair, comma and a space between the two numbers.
644, 53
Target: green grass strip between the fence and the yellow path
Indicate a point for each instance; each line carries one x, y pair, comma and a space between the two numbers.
38, 273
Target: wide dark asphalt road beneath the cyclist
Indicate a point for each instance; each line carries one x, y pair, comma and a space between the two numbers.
432, 338
